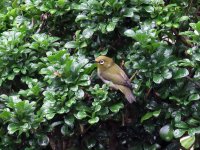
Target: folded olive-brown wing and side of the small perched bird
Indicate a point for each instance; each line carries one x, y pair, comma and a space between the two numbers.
116, 75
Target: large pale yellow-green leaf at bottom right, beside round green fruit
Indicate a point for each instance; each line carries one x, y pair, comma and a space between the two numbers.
187, 141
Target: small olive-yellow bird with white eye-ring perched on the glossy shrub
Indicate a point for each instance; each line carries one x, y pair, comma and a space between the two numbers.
114, 76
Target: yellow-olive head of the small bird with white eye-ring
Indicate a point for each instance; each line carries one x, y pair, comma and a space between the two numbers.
104, 62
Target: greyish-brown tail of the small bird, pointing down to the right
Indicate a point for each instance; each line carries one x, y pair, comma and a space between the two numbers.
127, 92
